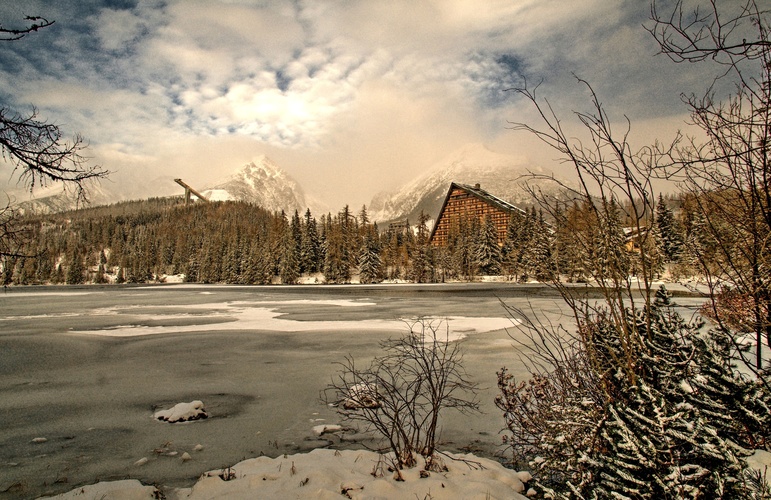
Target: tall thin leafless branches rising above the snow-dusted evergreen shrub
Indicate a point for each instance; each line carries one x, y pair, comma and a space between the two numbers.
614, 184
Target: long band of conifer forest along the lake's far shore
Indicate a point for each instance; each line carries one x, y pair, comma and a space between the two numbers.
241, 243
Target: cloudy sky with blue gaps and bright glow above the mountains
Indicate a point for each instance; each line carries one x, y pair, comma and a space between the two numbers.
350, 97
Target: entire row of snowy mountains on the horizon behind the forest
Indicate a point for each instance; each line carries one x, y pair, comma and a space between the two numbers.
262, 182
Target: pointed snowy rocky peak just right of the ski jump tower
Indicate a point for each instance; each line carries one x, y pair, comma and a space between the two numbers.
261, 182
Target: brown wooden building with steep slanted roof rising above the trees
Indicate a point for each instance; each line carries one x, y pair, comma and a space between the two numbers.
471, 202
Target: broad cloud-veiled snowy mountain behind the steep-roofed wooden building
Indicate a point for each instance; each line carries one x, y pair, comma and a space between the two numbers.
498, 174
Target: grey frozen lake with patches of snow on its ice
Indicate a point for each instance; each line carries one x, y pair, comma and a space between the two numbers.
86, 367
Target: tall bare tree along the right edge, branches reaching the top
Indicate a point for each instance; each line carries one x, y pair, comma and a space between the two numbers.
728, 175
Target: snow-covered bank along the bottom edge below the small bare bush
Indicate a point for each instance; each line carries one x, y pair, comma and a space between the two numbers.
331, 474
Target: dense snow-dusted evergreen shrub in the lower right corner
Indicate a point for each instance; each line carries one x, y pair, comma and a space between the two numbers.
654, 416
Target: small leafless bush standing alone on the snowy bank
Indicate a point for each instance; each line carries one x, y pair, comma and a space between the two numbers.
401, 393
